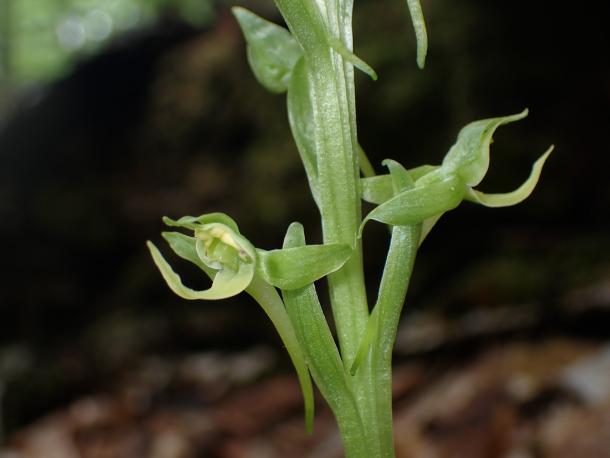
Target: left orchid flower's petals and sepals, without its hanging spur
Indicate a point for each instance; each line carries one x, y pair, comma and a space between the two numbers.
219, 249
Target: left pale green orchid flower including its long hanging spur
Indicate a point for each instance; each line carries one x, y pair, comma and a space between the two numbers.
235, 265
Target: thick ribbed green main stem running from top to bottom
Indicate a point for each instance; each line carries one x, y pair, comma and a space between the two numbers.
332, 94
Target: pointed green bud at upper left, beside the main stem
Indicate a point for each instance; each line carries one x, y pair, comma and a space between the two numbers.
272, 51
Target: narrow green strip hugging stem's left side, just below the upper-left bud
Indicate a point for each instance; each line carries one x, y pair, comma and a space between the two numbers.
300, 116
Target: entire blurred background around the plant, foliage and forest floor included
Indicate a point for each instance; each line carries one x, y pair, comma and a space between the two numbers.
114, 113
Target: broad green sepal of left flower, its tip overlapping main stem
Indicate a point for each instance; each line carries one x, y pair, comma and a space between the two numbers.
292, 268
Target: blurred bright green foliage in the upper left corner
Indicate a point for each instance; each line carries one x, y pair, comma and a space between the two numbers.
40, 39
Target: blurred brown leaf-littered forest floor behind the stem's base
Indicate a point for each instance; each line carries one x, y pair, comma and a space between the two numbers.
487, 384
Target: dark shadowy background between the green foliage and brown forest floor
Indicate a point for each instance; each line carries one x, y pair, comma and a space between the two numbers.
168, 120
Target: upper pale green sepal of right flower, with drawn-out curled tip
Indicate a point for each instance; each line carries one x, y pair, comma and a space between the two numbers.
469, 156
